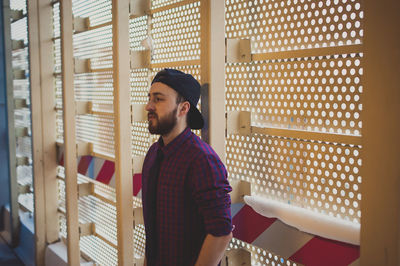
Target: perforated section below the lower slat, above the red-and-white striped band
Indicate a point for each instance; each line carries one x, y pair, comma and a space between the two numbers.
319, 176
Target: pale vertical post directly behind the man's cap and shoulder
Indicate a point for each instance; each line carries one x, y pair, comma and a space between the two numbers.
212, 62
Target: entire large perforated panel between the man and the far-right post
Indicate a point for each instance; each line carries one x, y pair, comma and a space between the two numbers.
305, 73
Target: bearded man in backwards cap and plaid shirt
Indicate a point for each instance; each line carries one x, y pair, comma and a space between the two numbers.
186, 204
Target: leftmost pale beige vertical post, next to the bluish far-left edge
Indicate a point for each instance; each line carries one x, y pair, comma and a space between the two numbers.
37, 146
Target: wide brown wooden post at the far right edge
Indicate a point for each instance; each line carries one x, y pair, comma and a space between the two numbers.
380, 206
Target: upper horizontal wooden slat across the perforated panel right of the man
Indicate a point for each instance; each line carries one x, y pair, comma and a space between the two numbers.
325, 51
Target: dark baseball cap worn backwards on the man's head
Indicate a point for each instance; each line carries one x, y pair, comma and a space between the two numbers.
188, 87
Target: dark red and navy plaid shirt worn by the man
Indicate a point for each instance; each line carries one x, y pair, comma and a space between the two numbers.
192, 198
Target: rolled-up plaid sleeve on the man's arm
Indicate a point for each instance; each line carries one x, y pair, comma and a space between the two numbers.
210, 189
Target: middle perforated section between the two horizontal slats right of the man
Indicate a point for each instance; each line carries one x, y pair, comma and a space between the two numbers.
315, 94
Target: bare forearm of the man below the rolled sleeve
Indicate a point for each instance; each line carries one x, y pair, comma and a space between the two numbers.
213, 249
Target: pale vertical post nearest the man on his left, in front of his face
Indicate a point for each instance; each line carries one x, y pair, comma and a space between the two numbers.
122, 131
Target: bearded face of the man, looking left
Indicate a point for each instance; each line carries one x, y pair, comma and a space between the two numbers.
162, 109
